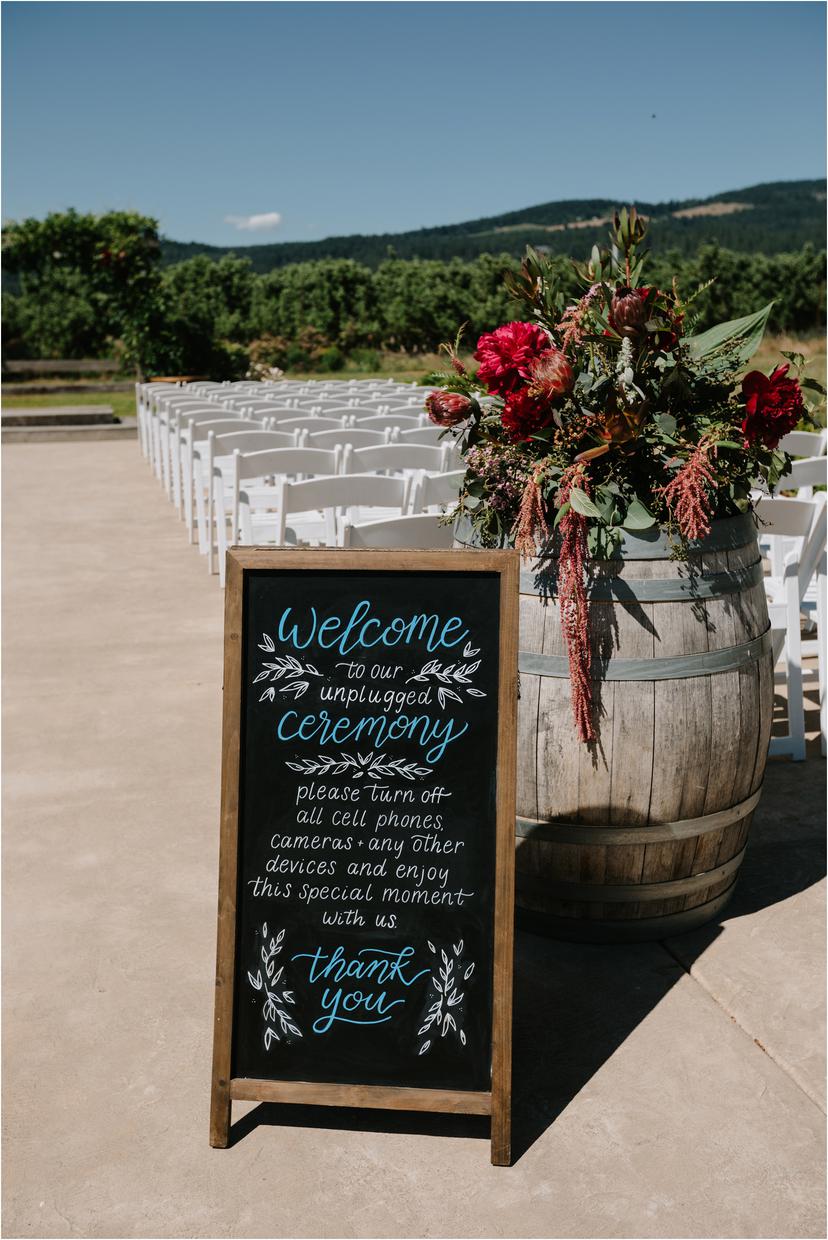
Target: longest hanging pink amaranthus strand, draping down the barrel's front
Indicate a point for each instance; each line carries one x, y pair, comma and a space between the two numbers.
575, 606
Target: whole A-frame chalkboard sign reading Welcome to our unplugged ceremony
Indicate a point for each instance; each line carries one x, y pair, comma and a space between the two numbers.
368, 833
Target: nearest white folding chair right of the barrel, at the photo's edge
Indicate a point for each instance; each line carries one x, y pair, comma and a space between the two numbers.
803, 523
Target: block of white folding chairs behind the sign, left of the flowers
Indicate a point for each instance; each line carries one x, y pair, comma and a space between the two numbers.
237, 463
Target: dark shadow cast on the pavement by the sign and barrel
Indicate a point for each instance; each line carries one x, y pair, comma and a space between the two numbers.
577, 1004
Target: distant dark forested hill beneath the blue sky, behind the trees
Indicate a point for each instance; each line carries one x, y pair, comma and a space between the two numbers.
772, 219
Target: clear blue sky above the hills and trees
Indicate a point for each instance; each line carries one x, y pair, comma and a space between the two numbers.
354, 117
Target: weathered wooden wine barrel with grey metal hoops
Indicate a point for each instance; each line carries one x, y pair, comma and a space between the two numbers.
643, 835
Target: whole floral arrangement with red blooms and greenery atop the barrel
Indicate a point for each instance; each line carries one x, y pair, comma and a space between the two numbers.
607, 415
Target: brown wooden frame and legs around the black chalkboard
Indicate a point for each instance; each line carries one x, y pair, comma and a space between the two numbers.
226, 1089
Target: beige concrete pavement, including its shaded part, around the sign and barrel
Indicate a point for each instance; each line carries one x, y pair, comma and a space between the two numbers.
661, 1091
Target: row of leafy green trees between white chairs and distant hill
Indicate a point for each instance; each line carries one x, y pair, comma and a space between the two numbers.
86, 286
